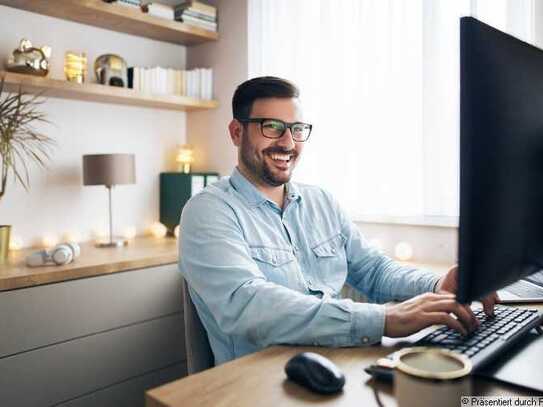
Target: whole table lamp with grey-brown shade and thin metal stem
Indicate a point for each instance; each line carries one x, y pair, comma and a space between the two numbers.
109, 170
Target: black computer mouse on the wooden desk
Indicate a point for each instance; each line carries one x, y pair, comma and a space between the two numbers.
315, 372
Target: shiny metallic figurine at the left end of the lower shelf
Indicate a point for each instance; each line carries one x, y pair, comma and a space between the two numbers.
29, 60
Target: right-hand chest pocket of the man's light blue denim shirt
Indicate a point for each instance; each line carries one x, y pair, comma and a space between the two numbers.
331, 262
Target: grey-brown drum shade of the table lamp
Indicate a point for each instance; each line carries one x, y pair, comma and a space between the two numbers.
109, 169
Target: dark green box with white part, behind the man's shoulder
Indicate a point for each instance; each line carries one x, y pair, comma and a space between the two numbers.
176, 188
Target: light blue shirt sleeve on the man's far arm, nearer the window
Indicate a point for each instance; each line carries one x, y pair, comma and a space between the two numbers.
377, 276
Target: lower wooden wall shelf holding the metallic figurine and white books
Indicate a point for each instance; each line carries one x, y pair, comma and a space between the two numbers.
100, 93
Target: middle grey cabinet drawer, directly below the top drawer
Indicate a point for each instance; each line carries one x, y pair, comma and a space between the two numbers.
62, 372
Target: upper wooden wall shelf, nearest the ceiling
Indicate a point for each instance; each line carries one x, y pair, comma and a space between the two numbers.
116, 17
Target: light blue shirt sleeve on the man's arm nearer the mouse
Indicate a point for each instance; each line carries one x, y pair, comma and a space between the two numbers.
216, 262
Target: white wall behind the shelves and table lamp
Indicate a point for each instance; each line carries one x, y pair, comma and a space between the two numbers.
57, 202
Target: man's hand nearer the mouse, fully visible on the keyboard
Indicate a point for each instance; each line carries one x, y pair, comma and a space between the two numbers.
425, 310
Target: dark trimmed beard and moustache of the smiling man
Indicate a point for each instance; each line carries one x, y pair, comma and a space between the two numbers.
259, 169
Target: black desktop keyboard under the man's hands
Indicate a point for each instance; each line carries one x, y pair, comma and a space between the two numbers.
493, 336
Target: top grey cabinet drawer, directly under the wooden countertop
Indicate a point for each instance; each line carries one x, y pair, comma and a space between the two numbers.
43, 315
